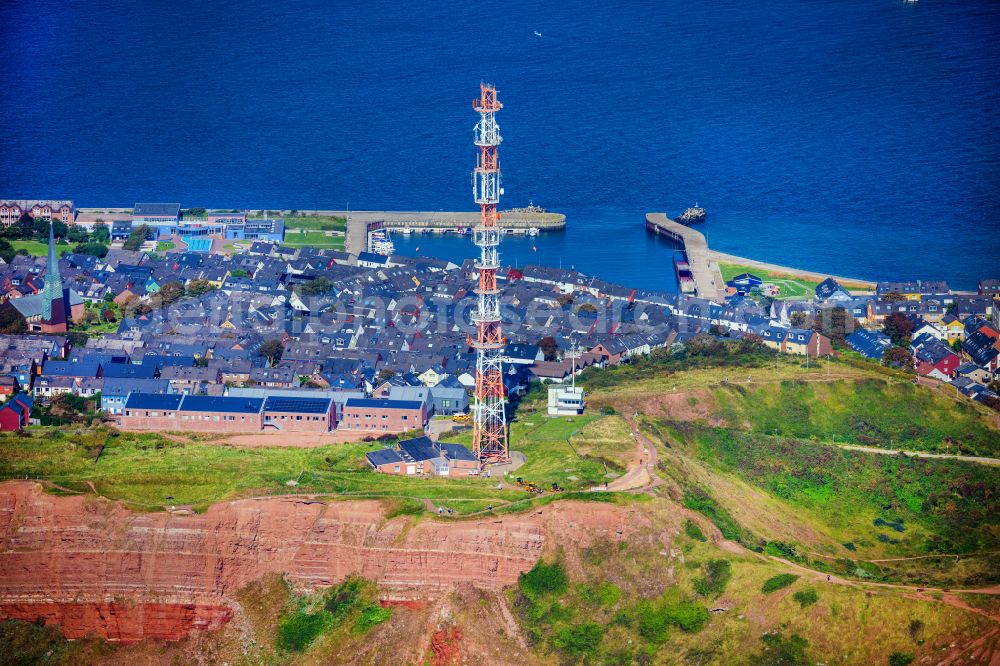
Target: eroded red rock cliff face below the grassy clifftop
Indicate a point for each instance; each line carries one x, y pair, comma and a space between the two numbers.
90, 565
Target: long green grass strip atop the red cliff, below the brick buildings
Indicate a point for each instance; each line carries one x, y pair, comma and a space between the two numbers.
143, 469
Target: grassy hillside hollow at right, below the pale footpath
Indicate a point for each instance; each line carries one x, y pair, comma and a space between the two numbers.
829, 507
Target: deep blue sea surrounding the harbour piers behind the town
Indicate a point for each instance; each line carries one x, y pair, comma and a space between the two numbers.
859, 137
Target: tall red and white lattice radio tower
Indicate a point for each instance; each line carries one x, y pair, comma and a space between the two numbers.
489, 435
